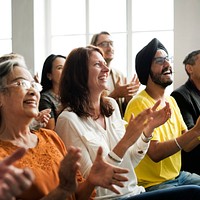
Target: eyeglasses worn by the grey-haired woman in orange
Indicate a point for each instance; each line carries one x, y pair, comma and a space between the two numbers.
26, 85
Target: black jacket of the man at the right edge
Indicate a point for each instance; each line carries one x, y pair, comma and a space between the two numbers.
187, 97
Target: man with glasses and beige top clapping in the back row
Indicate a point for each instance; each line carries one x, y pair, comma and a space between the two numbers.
118, 88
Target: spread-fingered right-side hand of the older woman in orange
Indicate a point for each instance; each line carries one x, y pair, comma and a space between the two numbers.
106, 175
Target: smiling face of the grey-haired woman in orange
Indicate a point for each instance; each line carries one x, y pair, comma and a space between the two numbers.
18, 101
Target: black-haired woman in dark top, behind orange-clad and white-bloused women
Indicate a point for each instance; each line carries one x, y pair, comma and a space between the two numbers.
51, 73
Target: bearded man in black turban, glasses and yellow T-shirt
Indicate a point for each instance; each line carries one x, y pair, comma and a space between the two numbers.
161, 166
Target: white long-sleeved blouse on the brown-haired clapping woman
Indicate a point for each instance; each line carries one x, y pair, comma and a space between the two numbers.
88, 135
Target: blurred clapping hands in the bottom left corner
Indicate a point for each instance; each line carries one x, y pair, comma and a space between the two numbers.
14, 181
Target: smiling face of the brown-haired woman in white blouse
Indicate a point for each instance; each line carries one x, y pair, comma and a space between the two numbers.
98, 73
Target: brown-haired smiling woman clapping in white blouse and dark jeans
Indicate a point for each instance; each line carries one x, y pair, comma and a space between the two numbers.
90, 120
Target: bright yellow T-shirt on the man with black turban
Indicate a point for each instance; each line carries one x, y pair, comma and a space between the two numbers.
150, 173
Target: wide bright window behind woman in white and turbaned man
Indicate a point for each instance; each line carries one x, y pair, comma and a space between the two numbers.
132, 24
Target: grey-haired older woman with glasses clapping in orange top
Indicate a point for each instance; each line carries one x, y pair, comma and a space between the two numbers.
45, 150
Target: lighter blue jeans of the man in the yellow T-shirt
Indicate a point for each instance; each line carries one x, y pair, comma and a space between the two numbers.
185, 178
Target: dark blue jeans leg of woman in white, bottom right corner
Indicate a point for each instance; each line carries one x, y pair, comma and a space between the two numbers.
190, 192
